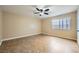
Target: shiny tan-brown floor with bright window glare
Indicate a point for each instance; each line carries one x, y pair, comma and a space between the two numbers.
39, 44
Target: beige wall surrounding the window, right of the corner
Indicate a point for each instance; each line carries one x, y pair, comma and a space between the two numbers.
71, 34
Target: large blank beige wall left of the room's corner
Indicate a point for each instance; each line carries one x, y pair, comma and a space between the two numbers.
16, 25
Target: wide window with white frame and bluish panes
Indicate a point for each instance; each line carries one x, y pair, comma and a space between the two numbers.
63, 23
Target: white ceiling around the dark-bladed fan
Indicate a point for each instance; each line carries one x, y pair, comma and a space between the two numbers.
28, 9
